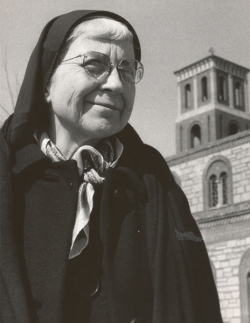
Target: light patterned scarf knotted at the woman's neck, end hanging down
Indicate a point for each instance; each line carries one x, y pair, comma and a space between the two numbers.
92, 164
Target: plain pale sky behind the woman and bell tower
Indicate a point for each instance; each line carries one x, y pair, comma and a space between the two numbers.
172, 33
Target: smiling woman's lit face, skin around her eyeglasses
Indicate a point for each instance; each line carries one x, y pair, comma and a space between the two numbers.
84, 106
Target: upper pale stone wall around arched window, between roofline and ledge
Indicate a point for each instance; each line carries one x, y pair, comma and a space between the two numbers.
191, 175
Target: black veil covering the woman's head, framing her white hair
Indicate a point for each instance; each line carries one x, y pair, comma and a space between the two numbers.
30, 111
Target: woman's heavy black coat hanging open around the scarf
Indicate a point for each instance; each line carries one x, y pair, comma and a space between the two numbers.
148, 271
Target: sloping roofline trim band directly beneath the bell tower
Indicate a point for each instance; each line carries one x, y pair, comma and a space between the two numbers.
211, 148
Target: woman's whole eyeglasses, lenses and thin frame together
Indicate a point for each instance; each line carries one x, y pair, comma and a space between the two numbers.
98, 65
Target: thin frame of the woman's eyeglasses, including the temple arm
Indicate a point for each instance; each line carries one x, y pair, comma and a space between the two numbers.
111, 66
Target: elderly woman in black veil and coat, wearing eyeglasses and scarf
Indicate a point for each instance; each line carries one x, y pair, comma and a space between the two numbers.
92, 221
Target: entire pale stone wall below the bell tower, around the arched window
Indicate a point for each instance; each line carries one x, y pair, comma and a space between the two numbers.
226, 230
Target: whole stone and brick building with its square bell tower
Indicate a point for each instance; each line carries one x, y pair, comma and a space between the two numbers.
212, 165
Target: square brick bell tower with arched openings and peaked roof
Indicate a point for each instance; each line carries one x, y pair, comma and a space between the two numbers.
212, 102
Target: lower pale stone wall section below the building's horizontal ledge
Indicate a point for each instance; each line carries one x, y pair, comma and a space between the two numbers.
226, 253
